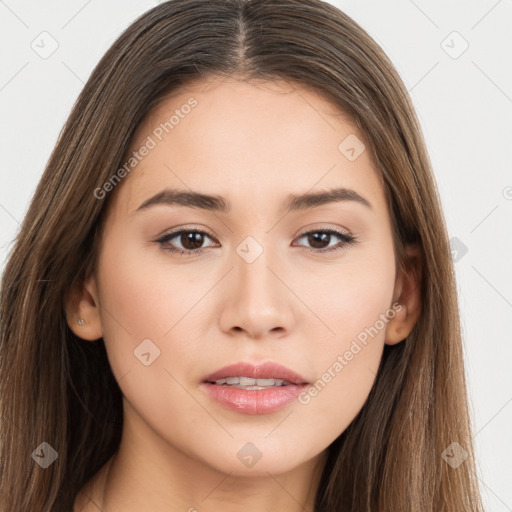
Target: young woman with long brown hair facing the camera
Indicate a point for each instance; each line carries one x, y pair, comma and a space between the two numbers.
233, 287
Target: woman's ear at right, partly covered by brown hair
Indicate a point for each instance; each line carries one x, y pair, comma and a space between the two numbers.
407, 293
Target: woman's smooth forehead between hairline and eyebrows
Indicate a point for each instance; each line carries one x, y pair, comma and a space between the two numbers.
249, 140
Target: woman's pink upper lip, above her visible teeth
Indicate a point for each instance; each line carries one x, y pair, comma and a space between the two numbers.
267, 370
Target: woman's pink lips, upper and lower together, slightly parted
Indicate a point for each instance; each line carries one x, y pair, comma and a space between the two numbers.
255, 401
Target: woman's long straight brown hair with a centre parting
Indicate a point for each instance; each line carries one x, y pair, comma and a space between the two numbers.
56, 388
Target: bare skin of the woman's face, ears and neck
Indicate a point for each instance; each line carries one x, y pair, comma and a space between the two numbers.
253, 144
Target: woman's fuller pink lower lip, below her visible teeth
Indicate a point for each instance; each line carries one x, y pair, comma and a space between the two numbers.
254, 401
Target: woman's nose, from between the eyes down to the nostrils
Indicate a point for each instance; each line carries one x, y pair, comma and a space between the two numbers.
258, 301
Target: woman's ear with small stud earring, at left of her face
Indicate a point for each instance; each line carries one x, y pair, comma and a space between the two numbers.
83, 304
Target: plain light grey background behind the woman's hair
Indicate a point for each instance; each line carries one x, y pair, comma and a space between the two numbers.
464, 103
